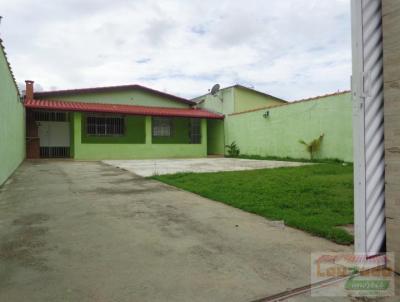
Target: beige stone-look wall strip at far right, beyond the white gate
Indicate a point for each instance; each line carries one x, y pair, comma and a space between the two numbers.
391, 77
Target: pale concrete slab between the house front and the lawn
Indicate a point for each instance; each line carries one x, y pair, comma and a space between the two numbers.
150, 167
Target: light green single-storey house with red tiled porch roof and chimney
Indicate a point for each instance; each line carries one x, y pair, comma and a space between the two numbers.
119, 122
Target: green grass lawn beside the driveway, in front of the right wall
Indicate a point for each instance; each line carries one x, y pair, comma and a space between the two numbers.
315, 198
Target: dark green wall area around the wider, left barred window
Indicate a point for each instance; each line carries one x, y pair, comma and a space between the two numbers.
134, 132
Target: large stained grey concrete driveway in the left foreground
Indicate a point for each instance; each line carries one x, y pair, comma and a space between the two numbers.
85, 231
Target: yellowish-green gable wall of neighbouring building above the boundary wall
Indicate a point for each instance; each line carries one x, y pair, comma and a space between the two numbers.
248, 100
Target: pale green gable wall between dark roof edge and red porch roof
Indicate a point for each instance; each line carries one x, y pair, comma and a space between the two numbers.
129, 97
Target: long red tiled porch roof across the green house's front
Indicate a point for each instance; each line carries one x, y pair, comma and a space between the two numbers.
121, 109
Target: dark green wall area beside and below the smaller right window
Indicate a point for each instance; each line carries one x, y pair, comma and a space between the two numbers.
180, 133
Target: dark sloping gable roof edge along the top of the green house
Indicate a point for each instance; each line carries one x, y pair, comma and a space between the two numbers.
55, 93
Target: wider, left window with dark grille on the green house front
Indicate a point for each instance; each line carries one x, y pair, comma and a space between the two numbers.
105, 125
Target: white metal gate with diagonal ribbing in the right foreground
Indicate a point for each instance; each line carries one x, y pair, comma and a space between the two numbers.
367, 92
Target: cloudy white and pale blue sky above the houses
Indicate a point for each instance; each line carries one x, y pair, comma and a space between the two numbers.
291, 49
